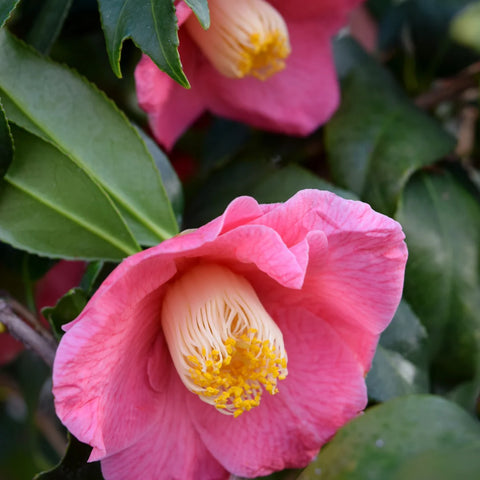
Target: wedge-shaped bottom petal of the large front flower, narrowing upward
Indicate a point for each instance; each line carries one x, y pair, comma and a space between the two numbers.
170, 449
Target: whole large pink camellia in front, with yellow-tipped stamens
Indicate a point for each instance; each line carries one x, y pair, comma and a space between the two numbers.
240, 347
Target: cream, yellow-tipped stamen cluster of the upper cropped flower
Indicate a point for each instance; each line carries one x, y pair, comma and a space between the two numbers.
246, 37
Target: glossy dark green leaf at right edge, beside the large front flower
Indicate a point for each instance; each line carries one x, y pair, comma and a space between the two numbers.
441, 218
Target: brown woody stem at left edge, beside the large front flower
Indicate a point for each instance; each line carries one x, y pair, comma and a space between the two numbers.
26, 334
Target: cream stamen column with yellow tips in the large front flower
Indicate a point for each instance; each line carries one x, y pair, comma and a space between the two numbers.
225, 346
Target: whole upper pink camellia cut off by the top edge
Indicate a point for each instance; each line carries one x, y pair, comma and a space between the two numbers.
267, 64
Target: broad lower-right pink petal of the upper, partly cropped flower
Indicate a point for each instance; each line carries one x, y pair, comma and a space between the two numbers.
295, 101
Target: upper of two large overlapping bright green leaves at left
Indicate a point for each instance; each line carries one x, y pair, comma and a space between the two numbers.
54, 103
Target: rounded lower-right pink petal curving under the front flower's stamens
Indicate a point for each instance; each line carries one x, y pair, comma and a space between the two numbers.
323, 390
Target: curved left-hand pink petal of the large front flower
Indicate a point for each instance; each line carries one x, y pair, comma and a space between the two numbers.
100, 378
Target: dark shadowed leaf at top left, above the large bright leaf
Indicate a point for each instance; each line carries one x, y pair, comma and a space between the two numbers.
48, 24
